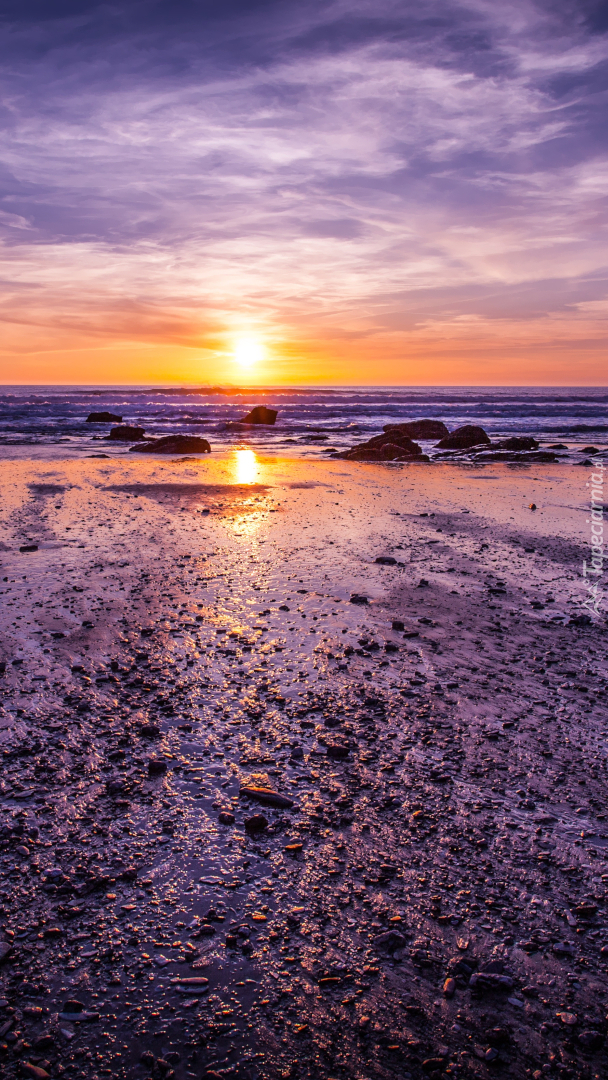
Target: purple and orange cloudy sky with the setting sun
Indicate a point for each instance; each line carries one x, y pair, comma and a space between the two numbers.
340, 192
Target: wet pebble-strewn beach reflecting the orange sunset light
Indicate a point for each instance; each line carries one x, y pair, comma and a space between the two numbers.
184, 631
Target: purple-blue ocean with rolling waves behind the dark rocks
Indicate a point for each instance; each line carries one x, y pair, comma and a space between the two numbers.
50, 423
